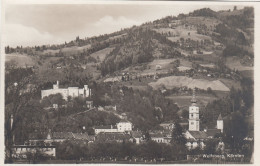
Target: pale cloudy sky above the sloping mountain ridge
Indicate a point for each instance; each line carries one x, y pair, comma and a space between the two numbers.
39, 24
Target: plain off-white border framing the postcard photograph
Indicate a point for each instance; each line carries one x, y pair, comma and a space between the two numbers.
256, 65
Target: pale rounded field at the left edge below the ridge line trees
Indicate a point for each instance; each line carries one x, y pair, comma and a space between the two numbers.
21, 60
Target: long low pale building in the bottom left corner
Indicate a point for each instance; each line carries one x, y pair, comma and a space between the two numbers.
22, 151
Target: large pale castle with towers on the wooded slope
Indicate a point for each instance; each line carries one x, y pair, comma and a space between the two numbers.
66, 92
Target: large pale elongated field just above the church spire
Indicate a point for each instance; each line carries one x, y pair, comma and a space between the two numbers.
180, 81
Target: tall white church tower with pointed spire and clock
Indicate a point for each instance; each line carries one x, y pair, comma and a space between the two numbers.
194, 121
